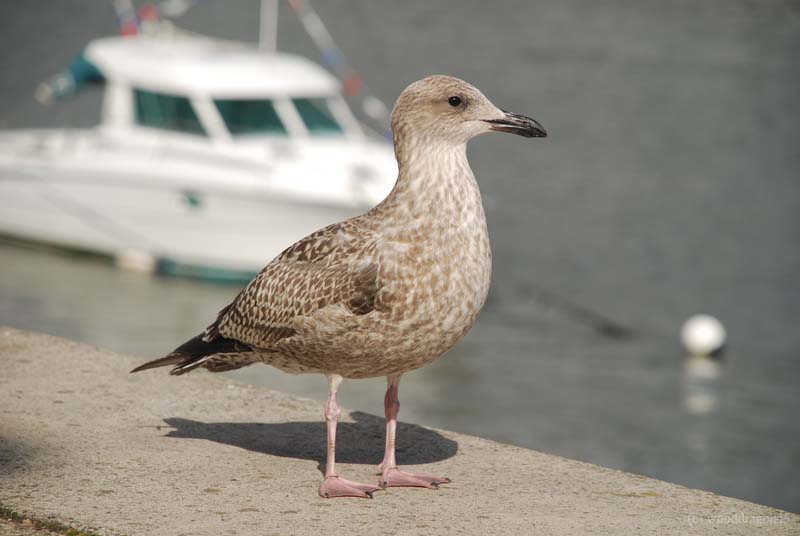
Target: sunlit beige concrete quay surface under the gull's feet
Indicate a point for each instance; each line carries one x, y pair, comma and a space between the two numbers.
87, 445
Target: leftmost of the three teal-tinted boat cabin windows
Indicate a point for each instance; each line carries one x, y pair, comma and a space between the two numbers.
171, 112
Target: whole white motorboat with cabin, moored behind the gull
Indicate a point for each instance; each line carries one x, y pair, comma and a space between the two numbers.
211, 157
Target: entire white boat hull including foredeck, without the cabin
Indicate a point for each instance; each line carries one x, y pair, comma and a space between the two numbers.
184, 206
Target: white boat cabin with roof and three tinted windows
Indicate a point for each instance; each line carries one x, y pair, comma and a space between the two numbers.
223, 91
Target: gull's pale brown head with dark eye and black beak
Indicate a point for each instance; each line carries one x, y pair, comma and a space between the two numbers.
446, 109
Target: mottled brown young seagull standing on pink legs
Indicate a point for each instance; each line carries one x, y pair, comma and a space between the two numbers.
379, 294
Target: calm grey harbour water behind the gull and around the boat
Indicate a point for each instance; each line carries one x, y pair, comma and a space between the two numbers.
668, 186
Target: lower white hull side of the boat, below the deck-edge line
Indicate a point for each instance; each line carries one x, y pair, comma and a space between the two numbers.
199, 233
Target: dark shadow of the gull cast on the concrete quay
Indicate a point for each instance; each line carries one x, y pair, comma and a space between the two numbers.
358, 442
